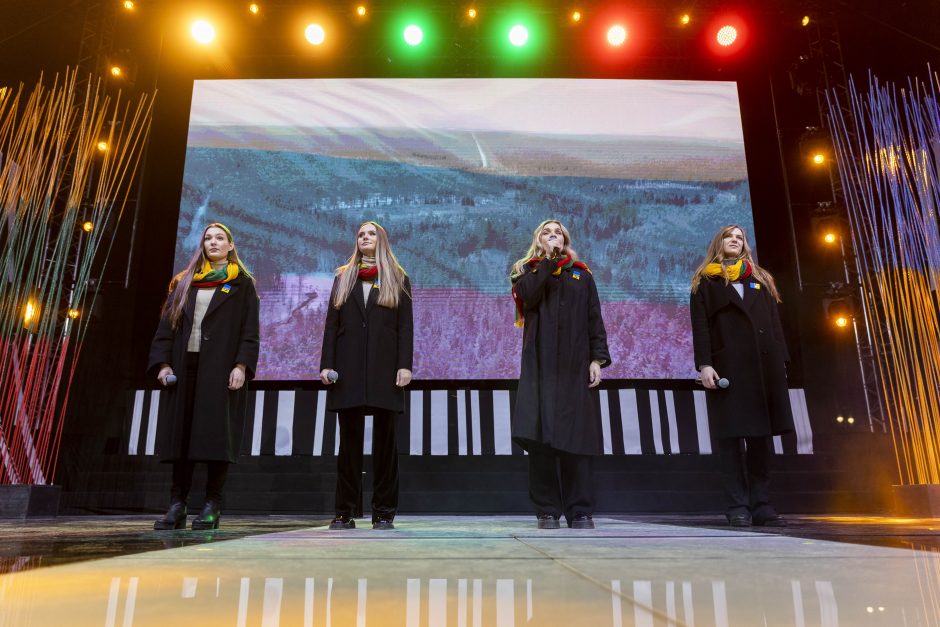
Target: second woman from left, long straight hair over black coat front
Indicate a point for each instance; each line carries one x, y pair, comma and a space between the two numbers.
366, 364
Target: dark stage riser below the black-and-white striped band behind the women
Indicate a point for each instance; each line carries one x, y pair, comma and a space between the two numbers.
686, 483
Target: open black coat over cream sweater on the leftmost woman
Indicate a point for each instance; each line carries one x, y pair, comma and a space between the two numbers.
229, 337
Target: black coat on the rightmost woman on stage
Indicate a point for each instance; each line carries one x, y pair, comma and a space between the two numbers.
742, 339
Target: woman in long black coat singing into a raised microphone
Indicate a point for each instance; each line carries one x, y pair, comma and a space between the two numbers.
564, 347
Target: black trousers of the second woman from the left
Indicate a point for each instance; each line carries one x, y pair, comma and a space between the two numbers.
384, 463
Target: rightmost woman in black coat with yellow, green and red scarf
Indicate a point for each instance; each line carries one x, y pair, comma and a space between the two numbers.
737, 336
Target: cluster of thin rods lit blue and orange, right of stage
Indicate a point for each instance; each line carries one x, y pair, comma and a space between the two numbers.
889, 158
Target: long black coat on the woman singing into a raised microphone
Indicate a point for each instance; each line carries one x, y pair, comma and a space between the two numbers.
563, 334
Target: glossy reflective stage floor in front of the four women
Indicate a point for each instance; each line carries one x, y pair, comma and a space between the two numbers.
468, 571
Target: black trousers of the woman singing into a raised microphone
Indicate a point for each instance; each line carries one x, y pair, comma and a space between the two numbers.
560, 483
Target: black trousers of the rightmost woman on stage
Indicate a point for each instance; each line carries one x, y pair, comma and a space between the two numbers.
745, 470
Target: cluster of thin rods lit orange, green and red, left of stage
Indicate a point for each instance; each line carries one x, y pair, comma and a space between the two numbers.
67, 161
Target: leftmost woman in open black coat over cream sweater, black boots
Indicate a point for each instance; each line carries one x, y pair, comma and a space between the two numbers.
204, 350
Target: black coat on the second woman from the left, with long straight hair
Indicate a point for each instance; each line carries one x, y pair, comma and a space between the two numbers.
367, 344
